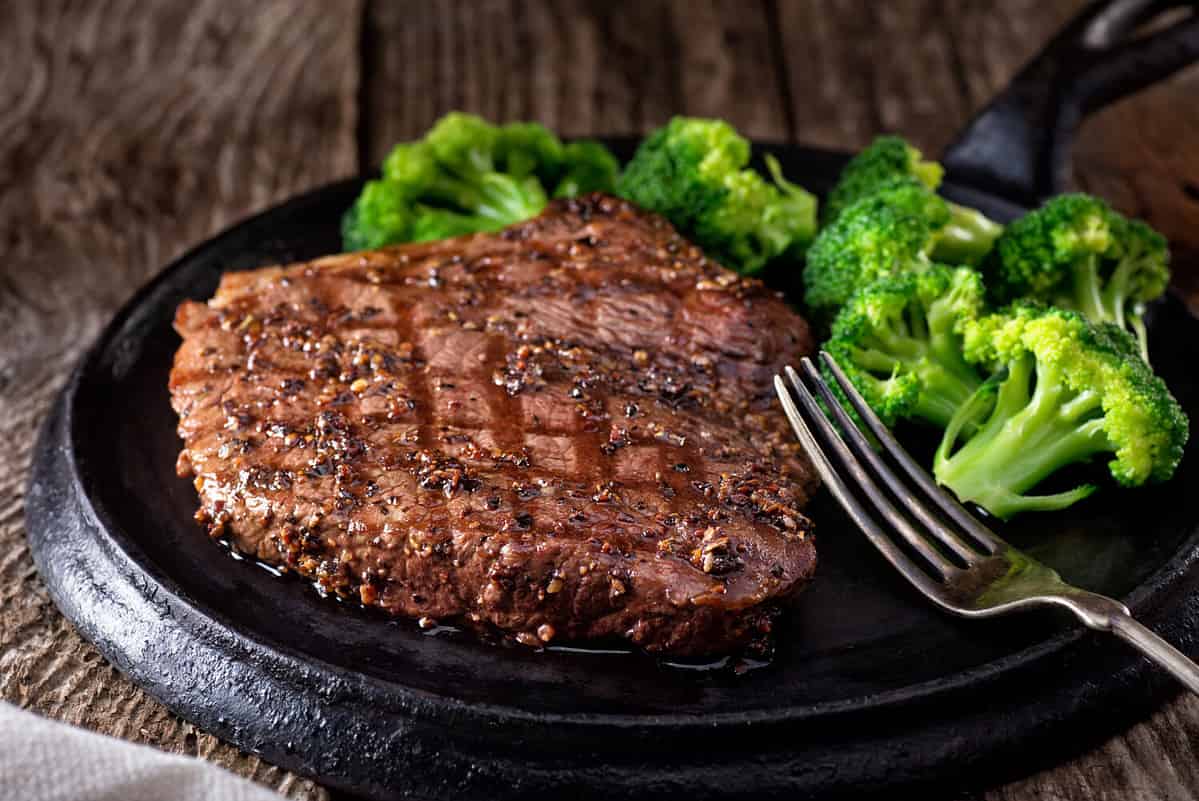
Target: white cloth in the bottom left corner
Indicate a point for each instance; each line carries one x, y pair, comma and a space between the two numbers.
45, 761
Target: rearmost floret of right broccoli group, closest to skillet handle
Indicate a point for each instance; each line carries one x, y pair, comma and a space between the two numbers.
968, 234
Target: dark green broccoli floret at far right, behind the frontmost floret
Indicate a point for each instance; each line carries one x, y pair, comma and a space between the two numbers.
1076, 252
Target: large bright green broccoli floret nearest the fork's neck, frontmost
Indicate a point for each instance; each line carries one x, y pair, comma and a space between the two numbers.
1064, 392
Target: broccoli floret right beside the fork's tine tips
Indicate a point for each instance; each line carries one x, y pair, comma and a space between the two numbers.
900, 341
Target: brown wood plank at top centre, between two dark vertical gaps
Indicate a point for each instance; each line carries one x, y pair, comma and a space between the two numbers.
580, 68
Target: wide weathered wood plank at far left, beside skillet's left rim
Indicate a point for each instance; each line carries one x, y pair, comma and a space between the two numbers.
132, 133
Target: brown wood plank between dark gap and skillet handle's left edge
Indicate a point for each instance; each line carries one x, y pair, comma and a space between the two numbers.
919, 69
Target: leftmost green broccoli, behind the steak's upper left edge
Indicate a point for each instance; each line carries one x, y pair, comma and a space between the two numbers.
468, 176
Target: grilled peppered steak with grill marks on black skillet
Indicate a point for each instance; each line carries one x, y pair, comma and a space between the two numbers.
562, 432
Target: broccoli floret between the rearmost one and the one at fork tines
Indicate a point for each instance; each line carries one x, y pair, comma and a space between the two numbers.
902, 228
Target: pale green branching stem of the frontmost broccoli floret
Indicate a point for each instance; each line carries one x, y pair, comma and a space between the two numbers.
1029, 435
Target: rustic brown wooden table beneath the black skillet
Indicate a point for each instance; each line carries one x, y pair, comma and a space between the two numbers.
131, 131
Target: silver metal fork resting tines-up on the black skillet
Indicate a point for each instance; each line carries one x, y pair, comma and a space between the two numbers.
965, 568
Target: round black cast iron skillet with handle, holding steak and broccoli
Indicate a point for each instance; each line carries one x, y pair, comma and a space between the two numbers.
871, 688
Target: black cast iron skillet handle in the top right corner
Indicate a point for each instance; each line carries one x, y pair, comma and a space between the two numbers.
1019, 146
